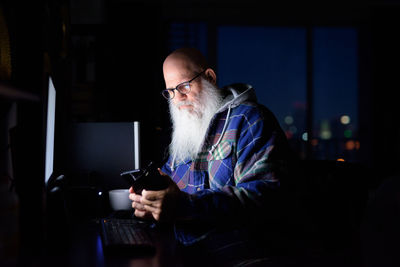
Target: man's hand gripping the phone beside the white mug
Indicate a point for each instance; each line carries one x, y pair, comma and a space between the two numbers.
161, 205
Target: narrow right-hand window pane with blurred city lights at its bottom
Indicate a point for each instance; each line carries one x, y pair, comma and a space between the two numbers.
335, 89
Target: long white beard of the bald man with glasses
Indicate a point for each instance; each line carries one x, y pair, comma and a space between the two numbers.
190, 126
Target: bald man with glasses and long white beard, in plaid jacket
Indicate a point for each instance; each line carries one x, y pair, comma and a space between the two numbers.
227, 156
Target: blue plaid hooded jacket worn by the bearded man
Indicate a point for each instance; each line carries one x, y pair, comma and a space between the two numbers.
234, 177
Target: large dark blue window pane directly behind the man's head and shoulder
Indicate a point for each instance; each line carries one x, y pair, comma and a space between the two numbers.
273, 61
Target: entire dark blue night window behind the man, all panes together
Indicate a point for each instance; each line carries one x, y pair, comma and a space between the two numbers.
274, 61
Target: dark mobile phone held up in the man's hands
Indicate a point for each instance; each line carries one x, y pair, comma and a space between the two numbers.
148, 178
